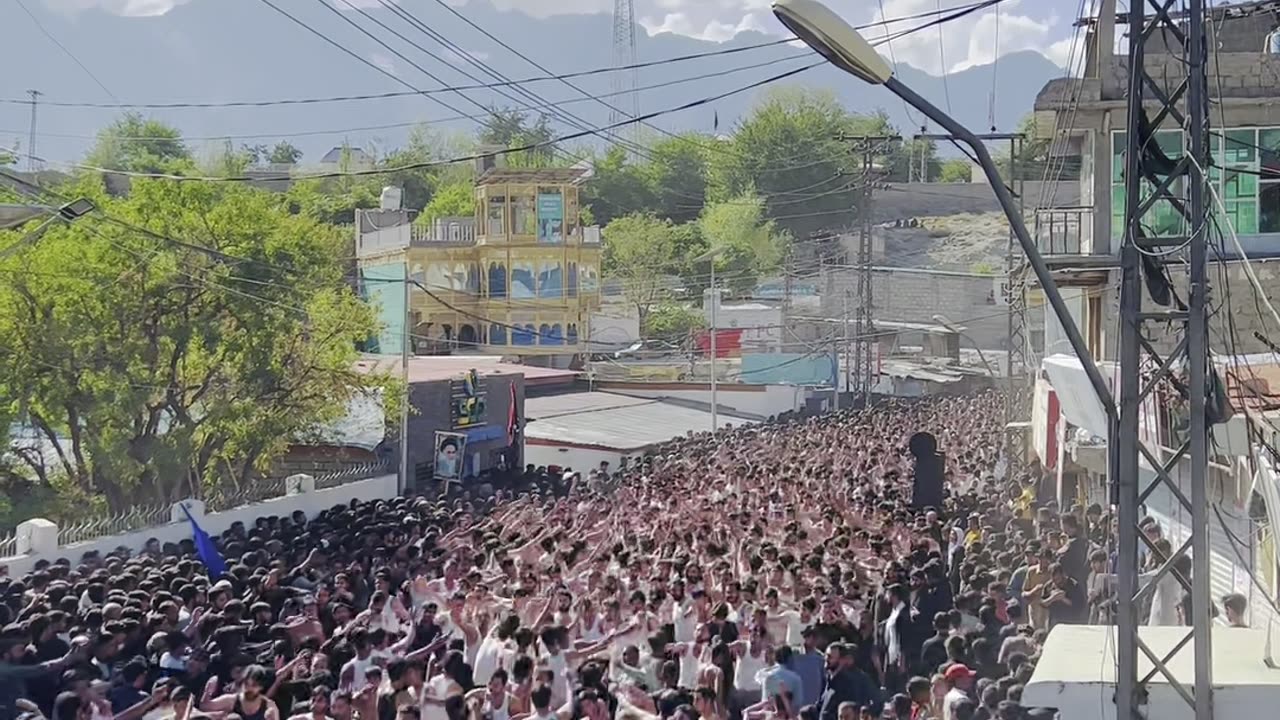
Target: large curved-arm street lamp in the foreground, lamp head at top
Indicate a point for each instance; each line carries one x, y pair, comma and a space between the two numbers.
829, 35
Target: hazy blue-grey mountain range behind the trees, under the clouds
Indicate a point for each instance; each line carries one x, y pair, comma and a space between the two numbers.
232, 51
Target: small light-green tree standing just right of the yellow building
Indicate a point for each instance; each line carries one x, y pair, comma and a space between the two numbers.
641, 253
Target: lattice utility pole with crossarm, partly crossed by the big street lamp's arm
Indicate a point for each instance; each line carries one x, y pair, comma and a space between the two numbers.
1016, 270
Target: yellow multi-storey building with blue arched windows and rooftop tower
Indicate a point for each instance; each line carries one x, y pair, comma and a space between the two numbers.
519, 277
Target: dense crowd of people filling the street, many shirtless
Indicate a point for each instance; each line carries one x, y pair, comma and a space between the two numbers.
772, 572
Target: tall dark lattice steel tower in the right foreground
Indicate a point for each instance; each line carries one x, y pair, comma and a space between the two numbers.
1151, 181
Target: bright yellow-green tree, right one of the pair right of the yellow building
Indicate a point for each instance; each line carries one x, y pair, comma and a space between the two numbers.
751, 244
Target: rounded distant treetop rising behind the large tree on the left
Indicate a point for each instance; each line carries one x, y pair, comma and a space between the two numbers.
140, 145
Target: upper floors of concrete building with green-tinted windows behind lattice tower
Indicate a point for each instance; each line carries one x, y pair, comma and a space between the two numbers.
1087, 119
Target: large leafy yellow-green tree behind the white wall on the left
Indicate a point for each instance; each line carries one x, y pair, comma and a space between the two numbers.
184, 358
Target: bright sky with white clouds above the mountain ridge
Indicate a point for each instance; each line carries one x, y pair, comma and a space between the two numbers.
1023, 25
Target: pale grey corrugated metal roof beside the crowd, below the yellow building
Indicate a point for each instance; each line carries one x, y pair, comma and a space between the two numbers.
615, 422
